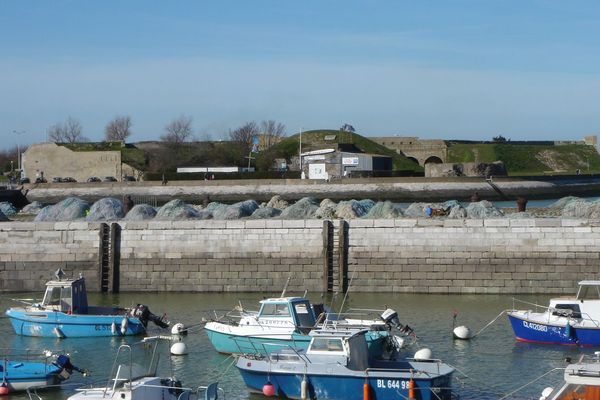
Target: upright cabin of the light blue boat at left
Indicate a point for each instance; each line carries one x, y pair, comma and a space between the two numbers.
68, 296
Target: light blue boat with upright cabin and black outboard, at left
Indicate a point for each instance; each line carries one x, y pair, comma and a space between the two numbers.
64, 312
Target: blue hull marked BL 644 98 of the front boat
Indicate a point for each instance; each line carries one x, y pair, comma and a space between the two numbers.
336, 387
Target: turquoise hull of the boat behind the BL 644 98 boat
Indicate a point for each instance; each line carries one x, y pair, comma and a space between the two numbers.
230, 343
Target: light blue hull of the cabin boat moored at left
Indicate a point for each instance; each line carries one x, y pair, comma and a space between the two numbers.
61, 325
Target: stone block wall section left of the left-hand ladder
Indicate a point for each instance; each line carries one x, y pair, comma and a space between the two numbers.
31, 252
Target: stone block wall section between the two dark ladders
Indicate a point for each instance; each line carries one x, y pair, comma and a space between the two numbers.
216, 256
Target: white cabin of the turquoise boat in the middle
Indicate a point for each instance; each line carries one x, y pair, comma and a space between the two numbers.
296, 310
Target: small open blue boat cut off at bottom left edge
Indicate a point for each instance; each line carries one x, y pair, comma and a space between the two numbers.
22, 369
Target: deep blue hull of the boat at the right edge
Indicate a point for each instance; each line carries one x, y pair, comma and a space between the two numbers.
534, 331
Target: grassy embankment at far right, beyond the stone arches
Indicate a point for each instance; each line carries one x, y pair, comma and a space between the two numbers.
524, 159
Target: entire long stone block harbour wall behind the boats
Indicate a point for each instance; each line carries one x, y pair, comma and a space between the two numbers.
404, 255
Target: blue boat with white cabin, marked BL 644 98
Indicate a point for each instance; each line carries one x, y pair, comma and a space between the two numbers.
336, 366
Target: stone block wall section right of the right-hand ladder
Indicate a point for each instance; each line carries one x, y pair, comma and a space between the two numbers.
473, 256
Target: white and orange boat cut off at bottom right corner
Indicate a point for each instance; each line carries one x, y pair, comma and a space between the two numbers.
581, 382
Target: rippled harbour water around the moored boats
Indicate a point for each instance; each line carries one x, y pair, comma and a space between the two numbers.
489, 366
